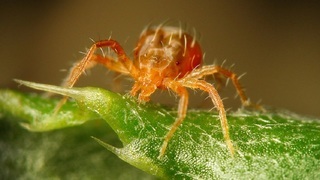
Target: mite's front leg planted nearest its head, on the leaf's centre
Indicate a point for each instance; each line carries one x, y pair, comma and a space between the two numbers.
182, 111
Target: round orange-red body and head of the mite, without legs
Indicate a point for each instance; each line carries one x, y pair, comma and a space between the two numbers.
162, 56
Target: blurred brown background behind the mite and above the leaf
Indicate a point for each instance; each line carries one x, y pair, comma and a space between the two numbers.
276, 43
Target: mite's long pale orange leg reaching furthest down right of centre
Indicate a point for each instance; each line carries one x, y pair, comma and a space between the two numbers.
216, 100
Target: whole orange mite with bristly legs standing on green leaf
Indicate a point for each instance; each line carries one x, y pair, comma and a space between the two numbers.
166, 58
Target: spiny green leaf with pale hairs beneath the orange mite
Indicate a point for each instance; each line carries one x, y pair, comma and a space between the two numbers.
268, 145
